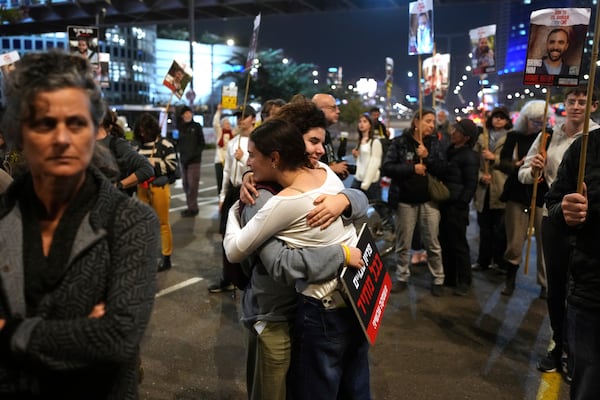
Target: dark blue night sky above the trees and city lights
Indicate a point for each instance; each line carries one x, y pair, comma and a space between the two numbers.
358, 41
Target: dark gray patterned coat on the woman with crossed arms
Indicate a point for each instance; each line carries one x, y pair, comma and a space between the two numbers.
59, 352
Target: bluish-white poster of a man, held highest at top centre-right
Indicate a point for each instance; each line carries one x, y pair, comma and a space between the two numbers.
420, 27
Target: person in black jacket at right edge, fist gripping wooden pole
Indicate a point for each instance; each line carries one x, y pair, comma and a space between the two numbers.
578, 217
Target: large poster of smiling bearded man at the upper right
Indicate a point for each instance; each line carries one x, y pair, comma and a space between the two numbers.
555, 46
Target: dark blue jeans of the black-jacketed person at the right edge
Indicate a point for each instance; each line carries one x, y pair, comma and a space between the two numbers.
584, 352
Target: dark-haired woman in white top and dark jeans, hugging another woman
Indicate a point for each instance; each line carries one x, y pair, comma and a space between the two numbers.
332, 360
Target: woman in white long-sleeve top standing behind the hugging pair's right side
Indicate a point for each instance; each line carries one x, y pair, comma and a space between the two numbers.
368, 155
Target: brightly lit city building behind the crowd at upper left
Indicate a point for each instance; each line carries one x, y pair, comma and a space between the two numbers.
139, 61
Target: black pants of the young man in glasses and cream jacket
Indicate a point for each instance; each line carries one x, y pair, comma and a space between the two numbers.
556, 254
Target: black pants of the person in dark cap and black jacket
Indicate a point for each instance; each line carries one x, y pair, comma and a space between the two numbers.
456, 257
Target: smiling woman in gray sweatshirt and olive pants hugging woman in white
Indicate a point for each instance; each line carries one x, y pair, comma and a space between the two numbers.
269, 300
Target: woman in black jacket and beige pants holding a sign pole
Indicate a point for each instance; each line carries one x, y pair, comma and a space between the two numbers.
407, 162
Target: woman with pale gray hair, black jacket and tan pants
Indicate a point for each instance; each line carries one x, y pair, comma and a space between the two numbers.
518, 196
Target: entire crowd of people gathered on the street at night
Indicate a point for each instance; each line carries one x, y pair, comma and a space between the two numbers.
79, 286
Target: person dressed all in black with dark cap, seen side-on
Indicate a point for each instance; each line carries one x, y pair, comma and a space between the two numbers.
461, 179
